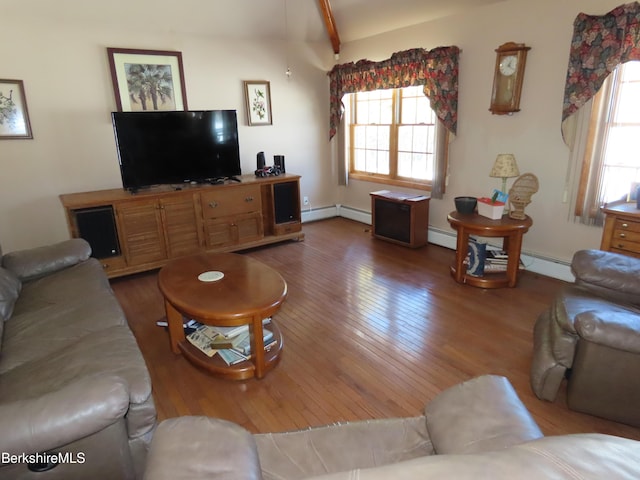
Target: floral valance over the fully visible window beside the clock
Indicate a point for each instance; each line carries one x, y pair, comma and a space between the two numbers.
436, 69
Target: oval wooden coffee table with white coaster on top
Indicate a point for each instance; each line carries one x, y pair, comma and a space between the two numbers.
248, 292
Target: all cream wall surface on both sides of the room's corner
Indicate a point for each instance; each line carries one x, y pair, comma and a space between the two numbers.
70, 96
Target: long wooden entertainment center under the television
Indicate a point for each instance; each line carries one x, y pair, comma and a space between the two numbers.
135, 232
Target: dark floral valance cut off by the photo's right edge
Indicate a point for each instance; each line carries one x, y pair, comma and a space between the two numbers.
599, 45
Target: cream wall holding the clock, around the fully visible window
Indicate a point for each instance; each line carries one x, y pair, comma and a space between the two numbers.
533, 134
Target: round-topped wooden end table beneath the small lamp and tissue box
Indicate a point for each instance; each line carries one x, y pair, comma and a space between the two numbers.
511, 230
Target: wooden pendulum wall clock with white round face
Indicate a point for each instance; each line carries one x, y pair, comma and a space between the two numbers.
507, 81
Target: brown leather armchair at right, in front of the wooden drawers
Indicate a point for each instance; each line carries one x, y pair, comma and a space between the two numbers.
590, 335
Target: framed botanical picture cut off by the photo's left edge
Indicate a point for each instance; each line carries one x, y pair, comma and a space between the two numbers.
14, 117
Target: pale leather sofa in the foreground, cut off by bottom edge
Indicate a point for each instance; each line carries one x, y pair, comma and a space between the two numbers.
477, 429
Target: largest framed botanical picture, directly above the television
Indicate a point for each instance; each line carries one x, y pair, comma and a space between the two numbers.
147, 80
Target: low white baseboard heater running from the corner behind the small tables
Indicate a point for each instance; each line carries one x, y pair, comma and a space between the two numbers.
534, 263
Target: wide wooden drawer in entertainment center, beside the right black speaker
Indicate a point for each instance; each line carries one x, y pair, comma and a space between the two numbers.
231, 201
